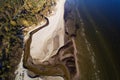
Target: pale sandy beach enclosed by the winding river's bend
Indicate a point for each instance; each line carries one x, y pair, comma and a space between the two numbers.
42, 46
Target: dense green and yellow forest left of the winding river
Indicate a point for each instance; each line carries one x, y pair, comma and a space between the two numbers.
15, 16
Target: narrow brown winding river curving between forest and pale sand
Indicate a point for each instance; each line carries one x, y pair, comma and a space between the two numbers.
49, 68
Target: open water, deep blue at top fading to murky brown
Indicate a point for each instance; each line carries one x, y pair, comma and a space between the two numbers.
98, 40
